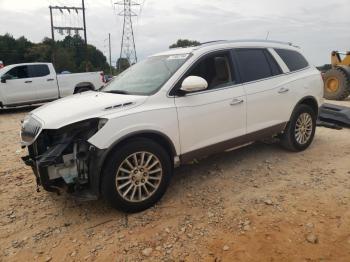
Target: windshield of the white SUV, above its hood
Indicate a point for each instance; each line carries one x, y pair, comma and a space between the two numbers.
147, 76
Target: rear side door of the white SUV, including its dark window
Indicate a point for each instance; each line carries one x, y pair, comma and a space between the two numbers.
269, 99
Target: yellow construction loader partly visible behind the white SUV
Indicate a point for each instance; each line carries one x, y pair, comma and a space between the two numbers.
337, 79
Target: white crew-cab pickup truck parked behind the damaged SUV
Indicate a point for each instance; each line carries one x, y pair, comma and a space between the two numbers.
32, 83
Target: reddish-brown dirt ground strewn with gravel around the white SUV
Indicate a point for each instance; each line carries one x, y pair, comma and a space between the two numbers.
259, 203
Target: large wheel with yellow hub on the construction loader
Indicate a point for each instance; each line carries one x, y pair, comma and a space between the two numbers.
336, 84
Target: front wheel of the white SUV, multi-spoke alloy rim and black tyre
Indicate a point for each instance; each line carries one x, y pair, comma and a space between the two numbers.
136, 175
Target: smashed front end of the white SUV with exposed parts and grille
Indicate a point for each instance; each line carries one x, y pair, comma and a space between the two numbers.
63, 158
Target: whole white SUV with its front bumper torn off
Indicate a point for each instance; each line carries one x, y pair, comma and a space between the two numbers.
124, 141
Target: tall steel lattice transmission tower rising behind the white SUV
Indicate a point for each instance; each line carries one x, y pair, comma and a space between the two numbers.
128, 48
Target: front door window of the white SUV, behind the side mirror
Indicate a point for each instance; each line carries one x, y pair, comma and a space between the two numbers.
215, 69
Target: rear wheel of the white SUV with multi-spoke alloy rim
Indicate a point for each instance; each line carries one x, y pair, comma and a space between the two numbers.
300, 130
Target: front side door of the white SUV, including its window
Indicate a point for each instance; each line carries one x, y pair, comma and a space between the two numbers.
212, 118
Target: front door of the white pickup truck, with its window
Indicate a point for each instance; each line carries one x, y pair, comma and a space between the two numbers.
19, 89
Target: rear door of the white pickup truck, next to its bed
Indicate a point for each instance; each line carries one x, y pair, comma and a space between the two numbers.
44, 81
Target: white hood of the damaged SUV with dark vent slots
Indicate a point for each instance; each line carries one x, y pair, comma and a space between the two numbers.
83, 106
